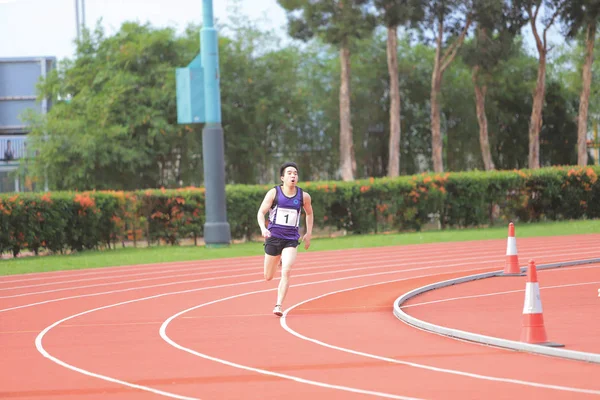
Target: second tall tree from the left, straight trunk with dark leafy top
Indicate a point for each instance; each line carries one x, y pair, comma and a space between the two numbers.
395, 13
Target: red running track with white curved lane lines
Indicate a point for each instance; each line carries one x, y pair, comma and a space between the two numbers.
204, 330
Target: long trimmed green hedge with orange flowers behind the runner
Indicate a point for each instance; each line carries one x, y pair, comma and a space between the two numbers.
77, 221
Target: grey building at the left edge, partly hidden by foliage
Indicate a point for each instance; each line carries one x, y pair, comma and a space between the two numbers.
18, 79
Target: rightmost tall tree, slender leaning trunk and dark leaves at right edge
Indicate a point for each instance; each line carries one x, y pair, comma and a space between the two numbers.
582, 16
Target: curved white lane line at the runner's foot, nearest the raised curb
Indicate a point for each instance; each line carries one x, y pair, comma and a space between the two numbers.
283, 322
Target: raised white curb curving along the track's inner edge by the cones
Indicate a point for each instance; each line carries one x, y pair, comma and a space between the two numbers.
490, 340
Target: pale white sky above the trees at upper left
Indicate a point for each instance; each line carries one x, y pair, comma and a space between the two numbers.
31, 28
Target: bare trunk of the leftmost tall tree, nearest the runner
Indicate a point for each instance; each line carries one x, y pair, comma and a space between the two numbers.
347, 160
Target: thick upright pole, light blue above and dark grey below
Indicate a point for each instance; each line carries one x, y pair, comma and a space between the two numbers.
216, 228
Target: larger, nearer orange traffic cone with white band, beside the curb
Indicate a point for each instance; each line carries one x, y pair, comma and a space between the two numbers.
533, 330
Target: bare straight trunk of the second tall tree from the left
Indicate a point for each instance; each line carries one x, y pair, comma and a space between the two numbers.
392, 57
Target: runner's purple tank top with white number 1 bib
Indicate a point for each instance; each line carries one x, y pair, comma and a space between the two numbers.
284, 215
